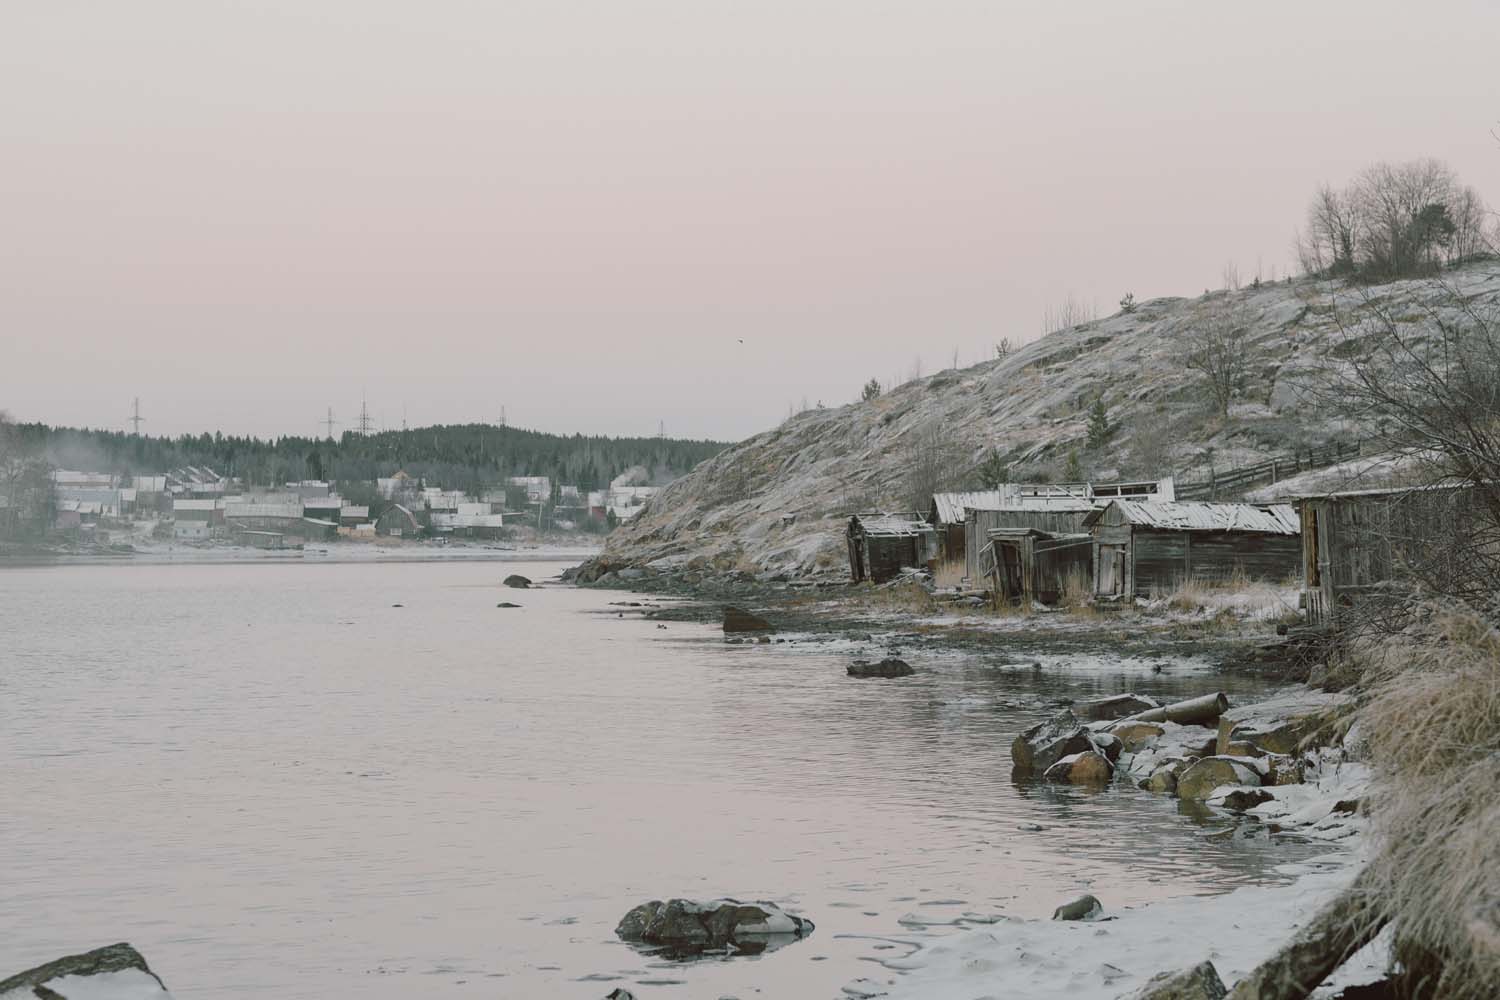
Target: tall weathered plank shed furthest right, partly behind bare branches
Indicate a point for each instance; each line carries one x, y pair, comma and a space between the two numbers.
1364, 543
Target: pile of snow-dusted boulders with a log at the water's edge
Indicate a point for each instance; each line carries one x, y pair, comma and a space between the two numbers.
1199, 750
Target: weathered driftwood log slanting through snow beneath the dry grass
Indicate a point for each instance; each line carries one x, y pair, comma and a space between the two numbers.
1340, 930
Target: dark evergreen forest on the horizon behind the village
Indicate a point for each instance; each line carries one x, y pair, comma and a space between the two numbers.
458, 457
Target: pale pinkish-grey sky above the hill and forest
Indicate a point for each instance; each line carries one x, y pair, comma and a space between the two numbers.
619, 218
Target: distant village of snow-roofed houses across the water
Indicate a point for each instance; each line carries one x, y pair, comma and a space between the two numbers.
197, 506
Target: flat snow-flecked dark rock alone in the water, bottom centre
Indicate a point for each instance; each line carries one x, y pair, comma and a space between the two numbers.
688, 927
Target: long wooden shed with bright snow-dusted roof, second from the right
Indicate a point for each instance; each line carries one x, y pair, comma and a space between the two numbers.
1145, 546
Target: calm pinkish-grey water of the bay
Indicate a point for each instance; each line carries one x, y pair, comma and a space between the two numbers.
278, 785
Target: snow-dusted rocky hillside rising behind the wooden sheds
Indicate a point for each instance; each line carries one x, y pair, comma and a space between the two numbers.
778, 501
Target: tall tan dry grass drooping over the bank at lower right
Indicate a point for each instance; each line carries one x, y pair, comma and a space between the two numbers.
1433, 725
